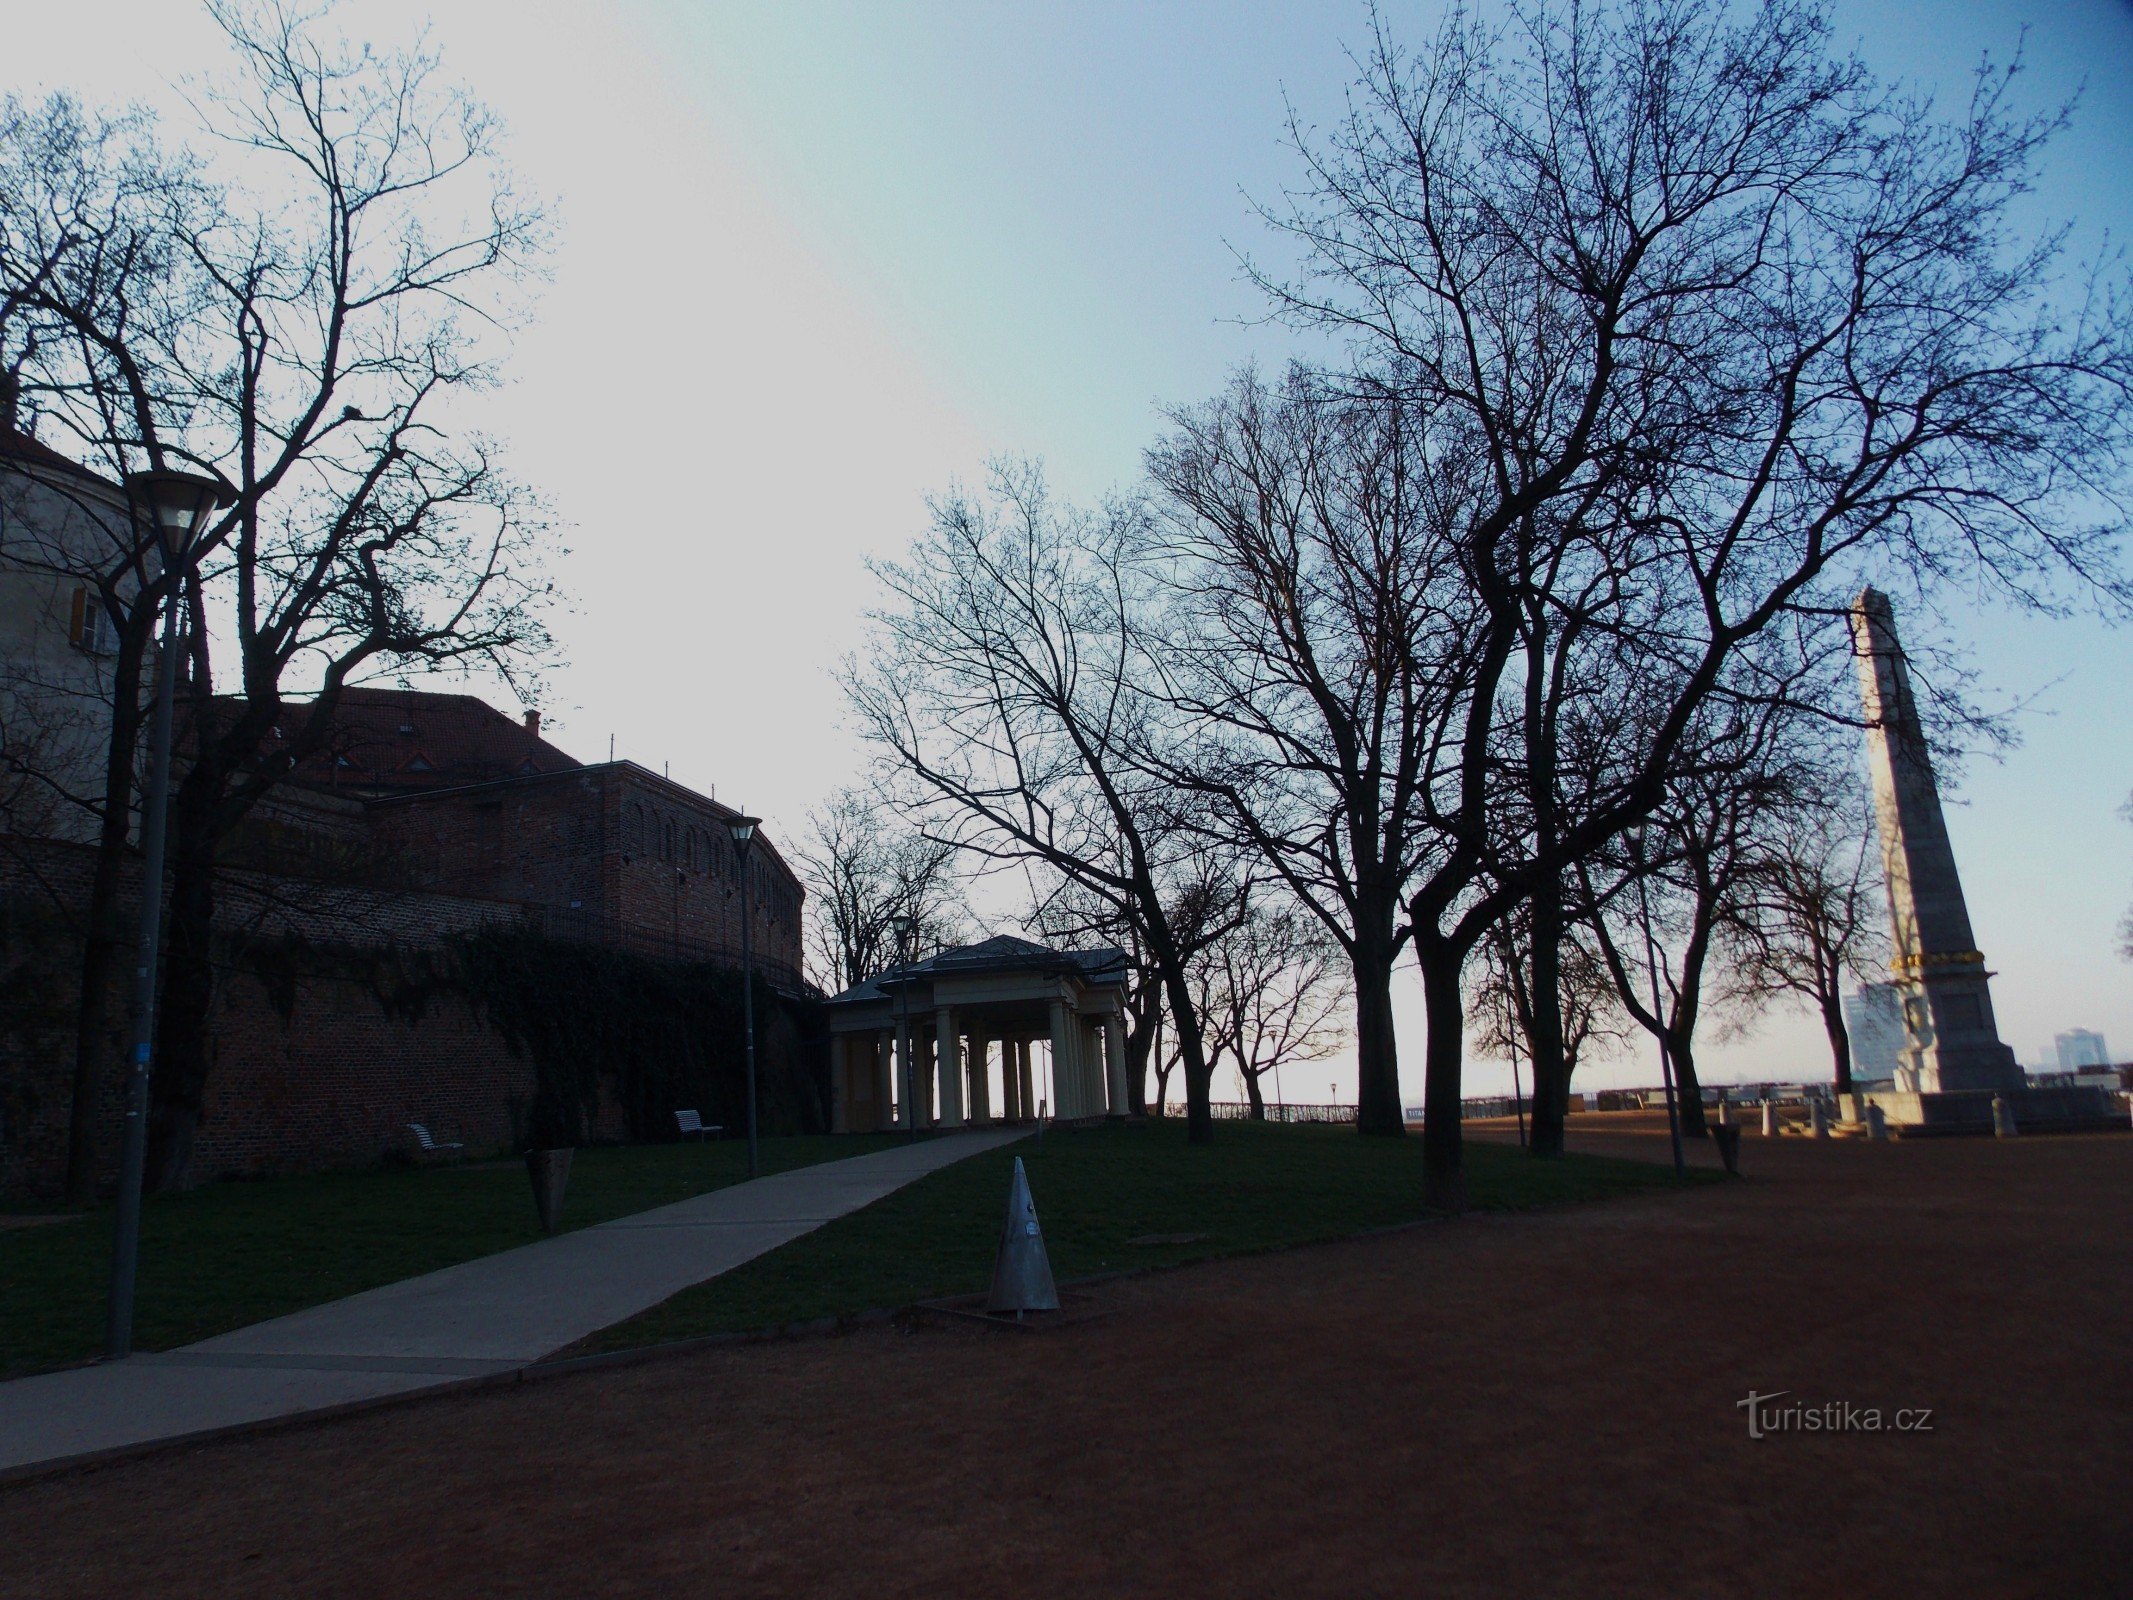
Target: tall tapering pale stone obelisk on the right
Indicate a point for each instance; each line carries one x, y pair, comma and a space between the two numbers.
1953, 1042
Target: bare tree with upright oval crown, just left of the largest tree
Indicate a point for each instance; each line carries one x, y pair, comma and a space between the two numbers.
1317, 641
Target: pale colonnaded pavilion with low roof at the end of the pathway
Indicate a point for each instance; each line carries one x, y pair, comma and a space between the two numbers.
959, 1029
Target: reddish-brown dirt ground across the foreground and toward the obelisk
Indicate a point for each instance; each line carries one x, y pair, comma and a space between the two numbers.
1539, 1405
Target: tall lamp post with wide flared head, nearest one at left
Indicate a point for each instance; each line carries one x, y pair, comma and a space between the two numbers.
178, 507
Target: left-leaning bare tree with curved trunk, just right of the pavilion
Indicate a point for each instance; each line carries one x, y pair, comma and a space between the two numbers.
1008, 686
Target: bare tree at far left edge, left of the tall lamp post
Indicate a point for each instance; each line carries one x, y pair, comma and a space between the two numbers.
93, 293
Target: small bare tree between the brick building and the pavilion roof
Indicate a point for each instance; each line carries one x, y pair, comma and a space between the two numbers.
867, 871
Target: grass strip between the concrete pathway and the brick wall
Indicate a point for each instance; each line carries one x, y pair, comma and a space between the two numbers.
238, 1253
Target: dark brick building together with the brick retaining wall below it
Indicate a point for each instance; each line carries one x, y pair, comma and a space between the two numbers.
387, 848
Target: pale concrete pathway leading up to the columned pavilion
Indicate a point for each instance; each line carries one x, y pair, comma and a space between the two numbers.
481, 1317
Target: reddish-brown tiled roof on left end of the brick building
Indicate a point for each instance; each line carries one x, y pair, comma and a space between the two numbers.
400, 741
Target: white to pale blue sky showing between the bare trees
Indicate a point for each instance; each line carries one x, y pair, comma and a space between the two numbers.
820, 261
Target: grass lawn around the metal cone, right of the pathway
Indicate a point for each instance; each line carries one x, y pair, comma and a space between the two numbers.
1260, 1187
